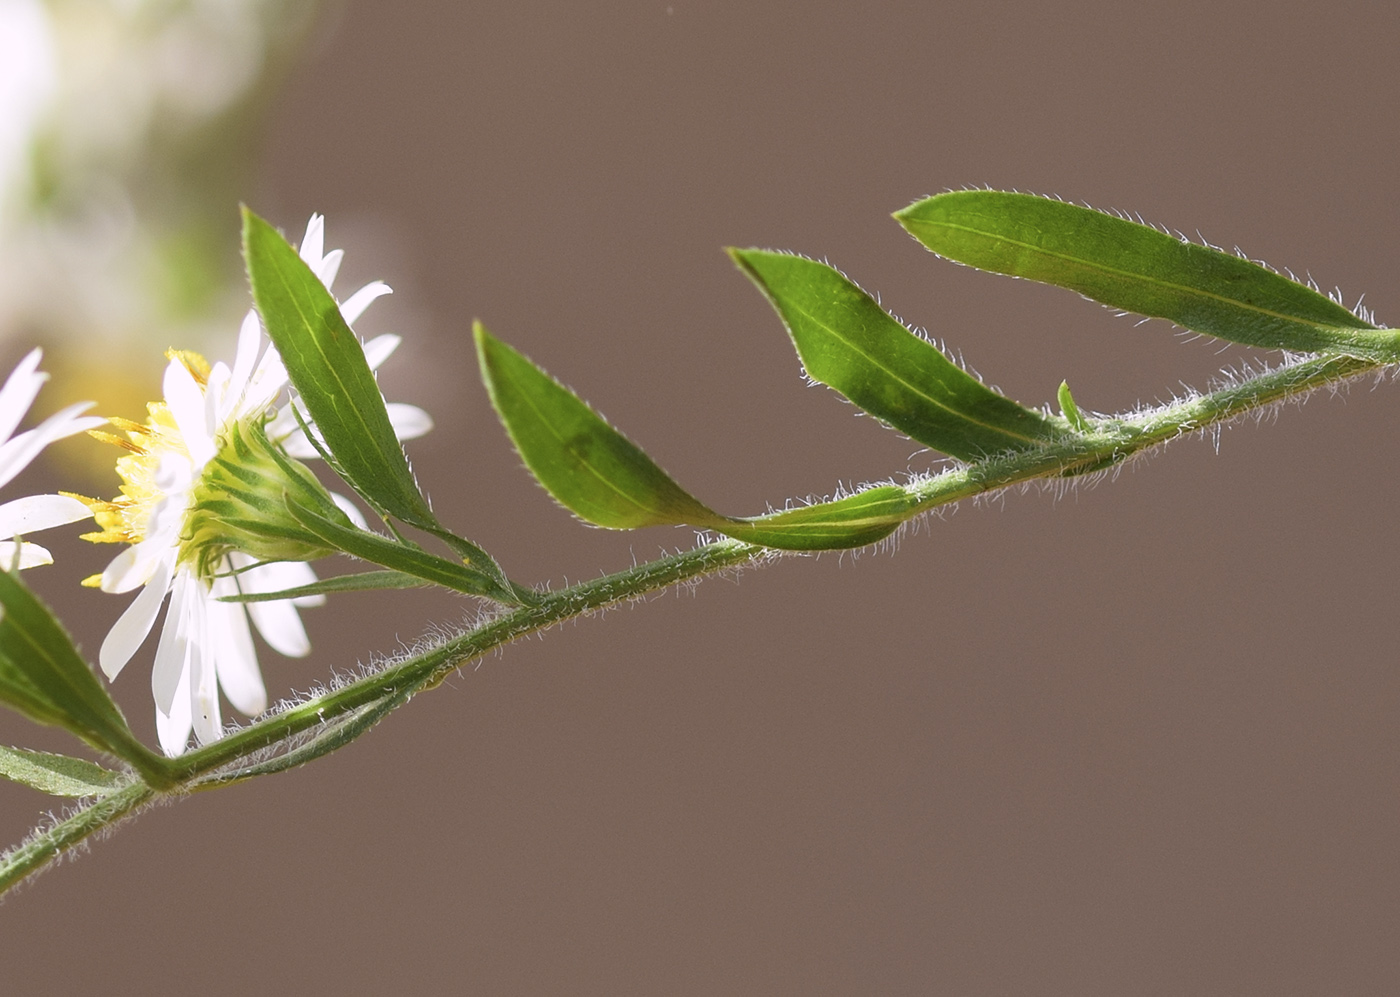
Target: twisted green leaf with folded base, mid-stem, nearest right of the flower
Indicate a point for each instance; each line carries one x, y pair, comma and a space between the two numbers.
604, 478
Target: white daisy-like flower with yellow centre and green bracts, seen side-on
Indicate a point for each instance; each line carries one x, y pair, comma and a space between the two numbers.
208, 468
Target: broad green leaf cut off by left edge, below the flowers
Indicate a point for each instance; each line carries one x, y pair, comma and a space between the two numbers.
44, 676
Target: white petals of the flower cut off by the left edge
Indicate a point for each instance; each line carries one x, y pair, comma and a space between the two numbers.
33, 513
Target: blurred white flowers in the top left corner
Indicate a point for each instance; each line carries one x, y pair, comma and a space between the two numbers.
125, 131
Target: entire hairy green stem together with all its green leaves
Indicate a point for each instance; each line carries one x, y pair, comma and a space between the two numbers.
843, 338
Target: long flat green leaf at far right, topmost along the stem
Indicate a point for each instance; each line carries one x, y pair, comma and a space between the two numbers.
1137, 270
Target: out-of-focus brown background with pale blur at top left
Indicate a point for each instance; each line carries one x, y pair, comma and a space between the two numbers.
1142, 739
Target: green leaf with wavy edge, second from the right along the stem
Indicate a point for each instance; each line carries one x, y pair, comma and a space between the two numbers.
846, 341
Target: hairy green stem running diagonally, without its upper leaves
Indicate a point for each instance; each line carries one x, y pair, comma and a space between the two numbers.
332, 720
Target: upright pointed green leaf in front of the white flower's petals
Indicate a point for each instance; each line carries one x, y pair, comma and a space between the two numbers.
327, 365
